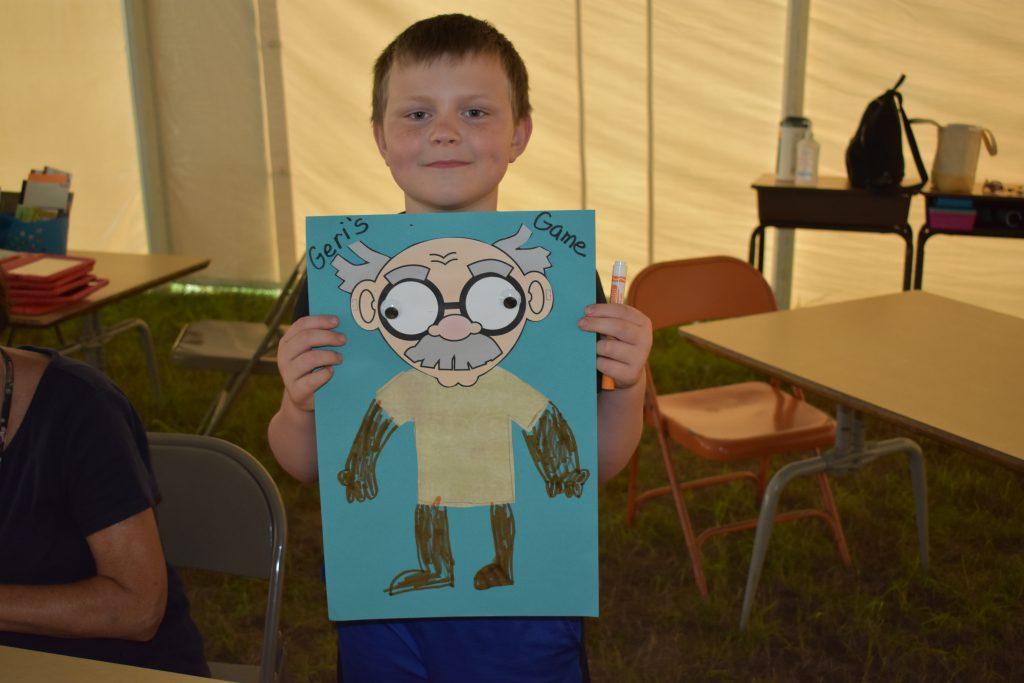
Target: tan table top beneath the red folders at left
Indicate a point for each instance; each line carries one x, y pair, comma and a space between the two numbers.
130, 275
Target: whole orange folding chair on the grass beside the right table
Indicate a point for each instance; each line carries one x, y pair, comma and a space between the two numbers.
749, 421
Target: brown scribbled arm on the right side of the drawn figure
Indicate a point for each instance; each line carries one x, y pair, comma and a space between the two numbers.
553, 448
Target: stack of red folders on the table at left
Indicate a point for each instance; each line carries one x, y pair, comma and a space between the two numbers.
44, 283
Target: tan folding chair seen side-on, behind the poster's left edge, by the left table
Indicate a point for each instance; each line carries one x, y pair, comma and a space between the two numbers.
237, 347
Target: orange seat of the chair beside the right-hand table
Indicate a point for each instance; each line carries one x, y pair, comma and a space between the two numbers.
743, 421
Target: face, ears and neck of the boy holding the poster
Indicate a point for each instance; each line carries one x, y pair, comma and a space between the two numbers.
449, 135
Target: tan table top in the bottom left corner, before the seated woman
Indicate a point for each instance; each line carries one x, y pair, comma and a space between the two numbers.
20, 666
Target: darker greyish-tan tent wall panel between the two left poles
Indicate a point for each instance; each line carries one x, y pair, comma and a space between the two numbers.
205, 80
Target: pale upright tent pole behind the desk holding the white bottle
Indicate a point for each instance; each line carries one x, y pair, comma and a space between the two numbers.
794, 74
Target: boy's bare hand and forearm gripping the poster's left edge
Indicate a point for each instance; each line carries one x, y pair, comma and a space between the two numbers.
305, 367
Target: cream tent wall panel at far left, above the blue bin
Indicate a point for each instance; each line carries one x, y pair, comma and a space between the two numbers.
68, 104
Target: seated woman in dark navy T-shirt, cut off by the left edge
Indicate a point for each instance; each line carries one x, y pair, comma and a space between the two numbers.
82, 572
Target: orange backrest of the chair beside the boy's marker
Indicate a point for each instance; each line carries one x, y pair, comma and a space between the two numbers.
685, 291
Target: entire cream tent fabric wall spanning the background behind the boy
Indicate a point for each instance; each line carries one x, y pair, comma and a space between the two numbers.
716, 82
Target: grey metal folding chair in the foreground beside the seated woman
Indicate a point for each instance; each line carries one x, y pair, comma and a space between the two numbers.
222, 511
